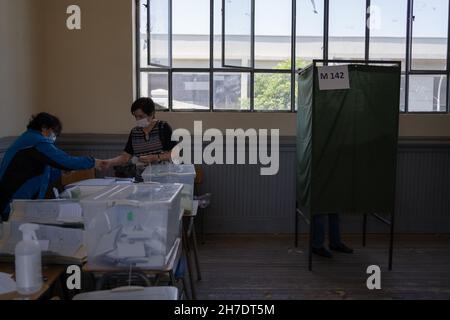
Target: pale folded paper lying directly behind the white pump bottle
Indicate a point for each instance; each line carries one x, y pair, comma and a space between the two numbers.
59, 245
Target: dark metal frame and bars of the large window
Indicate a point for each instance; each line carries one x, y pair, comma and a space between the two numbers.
293, 70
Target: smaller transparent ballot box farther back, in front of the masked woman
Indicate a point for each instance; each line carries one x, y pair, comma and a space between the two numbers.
173, 173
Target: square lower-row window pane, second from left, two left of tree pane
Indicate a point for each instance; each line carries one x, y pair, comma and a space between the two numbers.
190, 91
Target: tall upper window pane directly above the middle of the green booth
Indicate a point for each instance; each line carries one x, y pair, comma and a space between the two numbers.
347, 29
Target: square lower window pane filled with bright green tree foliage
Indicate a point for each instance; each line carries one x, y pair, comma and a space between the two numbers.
272, 91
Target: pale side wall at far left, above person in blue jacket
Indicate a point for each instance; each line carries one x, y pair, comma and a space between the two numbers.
19, 56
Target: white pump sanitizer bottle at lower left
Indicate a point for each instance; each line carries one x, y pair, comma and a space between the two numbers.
28, 261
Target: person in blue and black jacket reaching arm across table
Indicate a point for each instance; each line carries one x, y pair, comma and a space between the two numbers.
33, 162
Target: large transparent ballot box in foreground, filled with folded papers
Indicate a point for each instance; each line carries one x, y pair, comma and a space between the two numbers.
133, 225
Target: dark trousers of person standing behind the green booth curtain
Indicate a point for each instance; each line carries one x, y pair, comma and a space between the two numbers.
319, 223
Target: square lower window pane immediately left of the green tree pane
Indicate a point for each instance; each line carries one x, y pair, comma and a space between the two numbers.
232, 91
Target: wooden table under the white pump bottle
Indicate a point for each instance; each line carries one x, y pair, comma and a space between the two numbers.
51, 274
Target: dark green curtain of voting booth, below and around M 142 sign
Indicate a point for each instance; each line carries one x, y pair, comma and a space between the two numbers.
347, 142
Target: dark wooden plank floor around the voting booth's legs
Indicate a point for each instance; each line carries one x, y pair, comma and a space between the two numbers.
268, 267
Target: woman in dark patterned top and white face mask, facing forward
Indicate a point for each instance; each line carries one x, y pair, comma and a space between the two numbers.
149, 141
